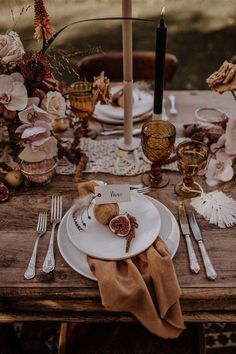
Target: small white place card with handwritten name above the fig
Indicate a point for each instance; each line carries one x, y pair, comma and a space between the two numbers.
112, 193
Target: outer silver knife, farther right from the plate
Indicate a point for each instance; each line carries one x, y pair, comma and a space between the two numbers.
210, 271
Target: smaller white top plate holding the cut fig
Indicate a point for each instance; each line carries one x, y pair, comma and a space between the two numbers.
98, 241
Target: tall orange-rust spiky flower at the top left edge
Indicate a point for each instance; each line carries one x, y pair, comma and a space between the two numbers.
42, 23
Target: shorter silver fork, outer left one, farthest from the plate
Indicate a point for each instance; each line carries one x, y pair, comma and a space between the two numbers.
40, 231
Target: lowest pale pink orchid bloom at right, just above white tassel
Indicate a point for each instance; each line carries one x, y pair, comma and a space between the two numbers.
219, 169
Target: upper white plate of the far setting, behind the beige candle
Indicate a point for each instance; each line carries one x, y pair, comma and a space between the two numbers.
143, 102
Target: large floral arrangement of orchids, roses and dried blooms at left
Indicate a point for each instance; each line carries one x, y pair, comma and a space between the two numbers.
31, 98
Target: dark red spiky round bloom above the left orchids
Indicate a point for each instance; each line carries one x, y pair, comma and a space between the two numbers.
35, 67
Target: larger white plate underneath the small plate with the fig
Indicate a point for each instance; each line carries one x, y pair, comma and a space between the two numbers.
77, 260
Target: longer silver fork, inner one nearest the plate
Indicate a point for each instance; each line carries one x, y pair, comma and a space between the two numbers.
56, 215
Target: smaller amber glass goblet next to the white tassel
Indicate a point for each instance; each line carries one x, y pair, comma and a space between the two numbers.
191, 159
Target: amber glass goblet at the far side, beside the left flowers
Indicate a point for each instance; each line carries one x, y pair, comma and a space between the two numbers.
82, 103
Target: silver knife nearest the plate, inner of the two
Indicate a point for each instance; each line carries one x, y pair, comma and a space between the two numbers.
194, 265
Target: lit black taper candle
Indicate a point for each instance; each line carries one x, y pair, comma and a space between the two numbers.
161, 33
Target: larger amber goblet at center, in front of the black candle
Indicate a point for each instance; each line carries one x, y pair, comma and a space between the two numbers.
157, 139
